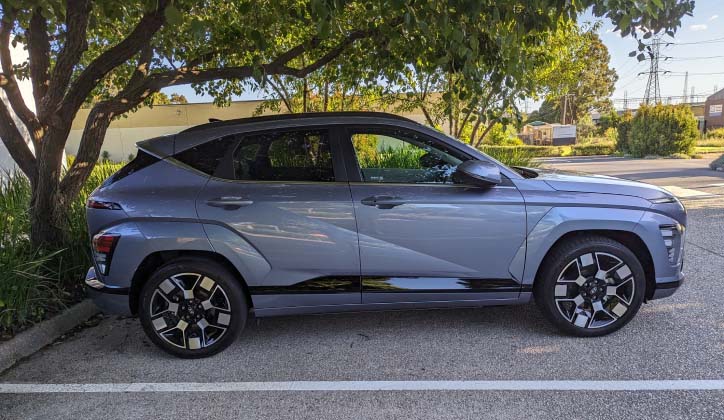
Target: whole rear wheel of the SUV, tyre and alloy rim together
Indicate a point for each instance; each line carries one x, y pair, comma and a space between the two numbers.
192, 308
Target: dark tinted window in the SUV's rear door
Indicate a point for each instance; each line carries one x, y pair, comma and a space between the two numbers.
301, 155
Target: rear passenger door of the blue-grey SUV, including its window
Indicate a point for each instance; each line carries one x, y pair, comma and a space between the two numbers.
286, 194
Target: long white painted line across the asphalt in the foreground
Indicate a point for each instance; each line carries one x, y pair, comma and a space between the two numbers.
649, 385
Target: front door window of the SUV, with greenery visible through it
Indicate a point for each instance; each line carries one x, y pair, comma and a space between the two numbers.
399, 156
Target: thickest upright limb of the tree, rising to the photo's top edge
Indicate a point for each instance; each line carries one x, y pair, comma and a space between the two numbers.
76, 21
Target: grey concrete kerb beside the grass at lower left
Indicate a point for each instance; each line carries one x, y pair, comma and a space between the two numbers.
30, 341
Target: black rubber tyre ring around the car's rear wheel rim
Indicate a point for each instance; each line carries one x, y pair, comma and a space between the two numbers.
220, 275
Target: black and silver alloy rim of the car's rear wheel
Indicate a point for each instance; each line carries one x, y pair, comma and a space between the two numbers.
190, 311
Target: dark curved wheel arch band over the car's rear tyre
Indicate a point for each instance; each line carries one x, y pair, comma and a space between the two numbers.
156, 259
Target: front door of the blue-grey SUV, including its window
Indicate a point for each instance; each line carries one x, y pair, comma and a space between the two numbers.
423, 238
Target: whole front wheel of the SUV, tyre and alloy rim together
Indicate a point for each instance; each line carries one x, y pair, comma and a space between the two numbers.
588, 303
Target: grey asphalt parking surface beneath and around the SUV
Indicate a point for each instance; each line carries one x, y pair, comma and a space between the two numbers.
681, 337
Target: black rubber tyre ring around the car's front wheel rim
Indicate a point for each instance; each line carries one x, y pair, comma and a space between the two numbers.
545, 290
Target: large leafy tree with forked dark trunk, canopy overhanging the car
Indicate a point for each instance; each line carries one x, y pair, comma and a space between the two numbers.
123, 52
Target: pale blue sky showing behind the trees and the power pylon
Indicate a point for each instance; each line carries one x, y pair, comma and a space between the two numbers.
698, 48
